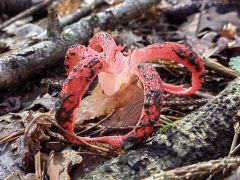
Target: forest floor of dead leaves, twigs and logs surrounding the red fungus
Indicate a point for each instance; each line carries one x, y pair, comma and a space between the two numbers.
195, 137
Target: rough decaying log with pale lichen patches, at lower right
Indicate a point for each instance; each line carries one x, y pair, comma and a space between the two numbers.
203, 135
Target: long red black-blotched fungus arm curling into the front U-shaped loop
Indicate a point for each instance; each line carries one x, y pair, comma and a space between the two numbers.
75, 87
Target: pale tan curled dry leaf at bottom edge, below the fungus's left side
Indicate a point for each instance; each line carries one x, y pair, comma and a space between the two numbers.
60, 163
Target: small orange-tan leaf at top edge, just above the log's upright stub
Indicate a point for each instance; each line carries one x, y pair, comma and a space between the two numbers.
66, 7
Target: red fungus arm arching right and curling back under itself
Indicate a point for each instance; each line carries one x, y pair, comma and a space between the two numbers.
175, 52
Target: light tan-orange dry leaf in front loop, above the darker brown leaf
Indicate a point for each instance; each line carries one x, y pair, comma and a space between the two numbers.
99, 104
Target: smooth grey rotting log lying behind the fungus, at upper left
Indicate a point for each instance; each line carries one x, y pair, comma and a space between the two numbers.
23, 63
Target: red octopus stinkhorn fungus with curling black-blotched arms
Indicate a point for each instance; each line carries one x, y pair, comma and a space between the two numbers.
103, 57
